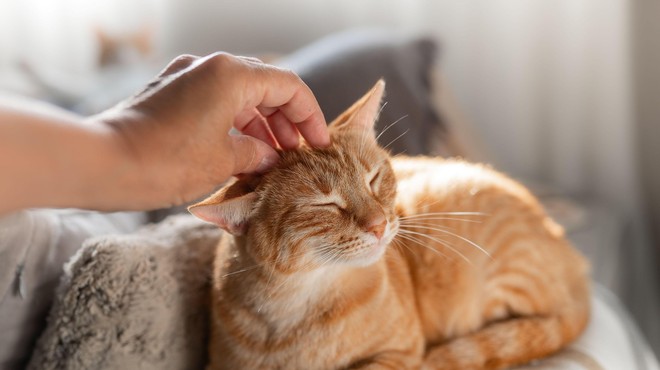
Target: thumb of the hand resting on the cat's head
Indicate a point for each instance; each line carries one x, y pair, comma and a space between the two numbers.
252, 155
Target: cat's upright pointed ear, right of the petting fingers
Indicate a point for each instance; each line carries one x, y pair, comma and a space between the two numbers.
363, 114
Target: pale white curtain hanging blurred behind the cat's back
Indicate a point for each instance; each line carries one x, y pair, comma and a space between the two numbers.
548, 83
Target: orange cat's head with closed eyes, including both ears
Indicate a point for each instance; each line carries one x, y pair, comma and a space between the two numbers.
317, 206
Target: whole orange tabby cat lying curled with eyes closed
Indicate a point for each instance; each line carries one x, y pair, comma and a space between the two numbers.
346, 258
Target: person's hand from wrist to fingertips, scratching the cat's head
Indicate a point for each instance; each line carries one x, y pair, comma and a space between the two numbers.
174, 135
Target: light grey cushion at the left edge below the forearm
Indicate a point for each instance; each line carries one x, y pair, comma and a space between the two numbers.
34, 245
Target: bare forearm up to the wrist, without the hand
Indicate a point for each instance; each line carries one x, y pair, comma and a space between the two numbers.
49, 158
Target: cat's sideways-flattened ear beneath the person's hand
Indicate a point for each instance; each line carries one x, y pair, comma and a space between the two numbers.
230, 207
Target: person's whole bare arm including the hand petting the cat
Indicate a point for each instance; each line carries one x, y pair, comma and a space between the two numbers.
167, 145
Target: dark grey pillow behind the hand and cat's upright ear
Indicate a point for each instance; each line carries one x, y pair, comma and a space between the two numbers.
341, 68
